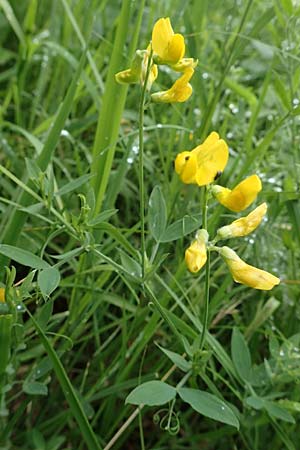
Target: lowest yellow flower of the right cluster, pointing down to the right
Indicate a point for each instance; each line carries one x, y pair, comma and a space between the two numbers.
245, 274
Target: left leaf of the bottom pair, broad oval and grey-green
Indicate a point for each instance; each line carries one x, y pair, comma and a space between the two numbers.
151, 393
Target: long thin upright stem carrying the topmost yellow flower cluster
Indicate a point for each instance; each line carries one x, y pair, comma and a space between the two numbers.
141, 162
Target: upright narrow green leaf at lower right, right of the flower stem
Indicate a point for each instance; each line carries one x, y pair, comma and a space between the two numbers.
240, 355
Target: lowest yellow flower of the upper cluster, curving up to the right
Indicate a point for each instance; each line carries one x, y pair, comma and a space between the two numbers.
179, 92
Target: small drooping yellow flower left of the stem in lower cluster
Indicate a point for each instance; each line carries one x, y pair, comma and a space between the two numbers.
195, 255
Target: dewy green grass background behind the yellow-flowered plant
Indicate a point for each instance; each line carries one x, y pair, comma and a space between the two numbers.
66, 128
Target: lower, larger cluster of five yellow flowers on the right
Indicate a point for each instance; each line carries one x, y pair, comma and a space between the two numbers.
202, 166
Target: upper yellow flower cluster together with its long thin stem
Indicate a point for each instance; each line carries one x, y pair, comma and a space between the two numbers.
165, 48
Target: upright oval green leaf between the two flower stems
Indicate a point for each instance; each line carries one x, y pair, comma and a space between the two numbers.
157, 214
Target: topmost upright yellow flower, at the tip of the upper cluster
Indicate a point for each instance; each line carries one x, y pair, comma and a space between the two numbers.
168, 47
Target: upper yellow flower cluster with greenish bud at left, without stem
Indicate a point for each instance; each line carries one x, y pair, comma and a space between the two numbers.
166, 48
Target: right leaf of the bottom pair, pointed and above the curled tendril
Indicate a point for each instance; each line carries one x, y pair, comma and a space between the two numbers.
209, 406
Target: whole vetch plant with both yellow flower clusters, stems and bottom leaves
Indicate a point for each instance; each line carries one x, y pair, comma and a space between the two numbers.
201, 166
